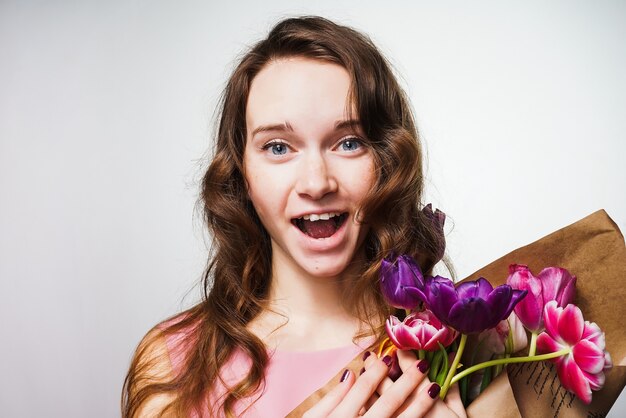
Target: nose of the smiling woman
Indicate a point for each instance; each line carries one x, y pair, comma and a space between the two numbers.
315, 177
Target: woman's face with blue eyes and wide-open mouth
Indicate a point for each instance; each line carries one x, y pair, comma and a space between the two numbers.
307, 170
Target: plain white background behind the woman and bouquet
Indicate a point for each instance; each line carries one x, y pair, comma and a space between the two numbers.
106, 113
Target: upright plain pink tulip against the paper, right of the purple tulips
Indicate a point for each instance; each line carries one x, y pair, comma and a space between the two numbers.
552, 283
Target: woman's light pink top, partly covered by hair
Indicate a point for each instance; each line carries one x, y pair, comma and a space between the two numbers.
290, 377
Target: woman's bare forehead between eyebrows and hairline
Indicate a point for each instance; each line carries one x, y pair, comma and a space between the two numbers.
298, 90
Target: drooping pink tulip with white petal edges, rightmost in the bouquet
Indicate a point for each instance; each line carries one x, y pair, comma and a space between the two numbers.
582, 369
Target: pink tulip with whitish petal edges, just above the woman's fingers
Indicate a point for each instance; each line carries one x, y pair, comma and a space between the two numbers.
419, 331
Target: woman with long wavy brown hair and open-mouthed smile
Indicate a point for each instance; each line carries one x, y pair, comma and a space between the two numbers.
316, 177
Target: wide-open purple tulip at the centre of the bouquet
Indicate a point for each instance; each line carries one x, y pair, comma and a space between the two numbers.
472, 306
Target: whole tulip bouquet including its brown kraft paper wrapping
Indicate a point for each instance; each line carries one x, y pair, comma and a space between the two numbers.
499, 323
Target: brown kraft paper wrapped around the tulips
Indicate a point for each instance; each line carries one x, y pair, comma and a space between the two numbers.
593, 250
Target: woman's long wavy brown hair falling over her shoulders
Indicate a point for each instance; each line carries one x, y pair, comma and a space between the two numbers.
237, 277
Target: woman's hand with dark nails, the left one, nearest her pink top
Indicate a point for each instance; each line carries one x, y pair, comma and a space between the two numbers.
358, 396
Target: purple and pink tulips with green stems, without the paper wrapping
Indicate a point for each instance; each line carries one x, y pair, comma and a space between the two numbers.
440, 316
